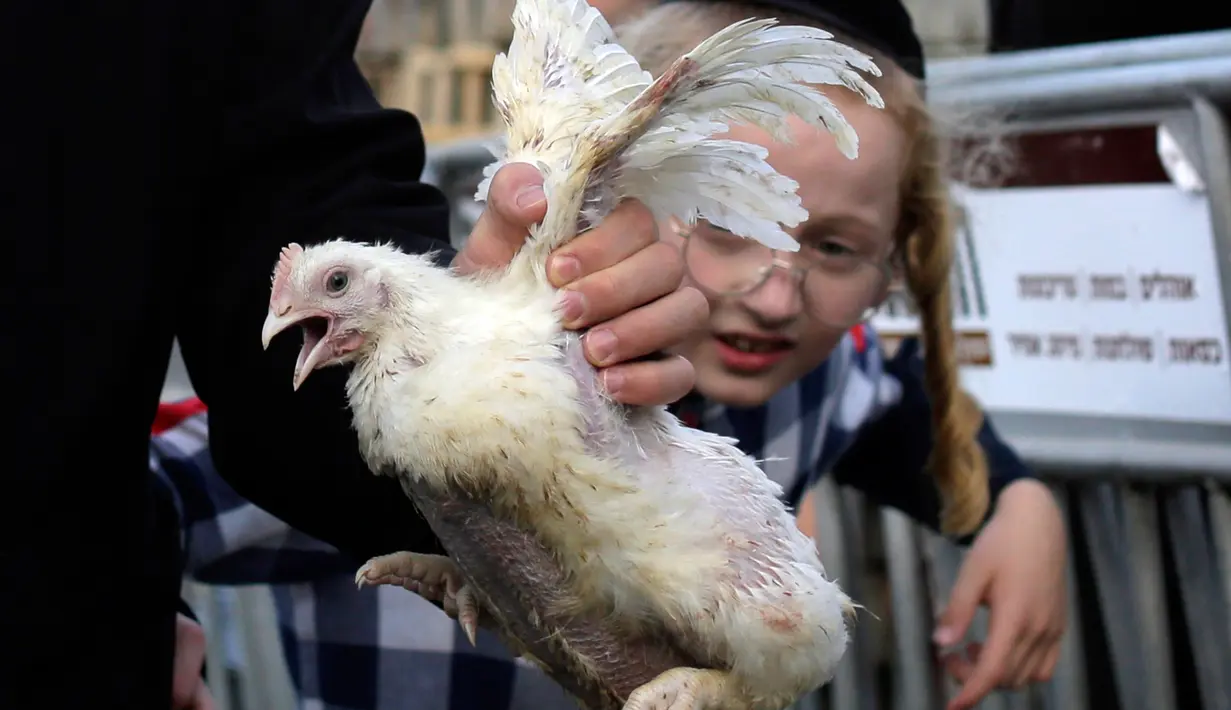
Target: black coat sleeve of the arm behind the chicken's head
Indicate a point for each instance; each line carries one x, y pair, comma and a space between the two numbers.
305, 154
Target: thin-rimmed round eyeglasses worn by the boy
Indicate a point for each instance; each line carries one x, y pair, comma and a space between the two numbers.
838, 287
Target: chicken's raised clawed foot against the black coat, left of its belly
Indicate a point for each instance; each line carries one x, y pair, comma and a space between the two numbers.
434, 578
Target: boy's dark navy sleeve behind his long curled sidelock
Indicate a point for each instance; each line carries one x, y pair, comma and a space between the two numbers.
888, 461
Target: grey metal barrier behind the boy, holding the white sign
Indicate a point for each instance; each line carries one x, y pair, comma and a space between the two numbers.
1148, 501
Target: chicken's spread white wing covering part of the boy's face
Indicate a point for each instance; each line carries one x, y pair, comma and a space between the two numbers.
754, 73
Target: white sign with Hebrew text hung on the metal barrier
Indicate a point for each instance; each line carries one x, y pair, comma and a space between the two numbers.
1097, 301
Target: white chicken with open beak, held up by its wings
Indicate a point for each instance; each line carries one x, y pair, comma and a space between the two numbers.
471, 386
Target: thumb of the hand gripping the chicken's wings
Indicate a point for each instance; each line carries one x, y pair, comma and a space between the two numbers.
515, 202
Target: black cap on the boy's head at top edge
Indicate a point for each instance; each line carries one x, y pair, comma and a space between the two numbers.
883, 25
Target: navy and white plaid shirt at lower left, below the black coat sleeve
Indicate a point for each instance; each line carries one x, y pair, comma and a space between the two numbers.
347, 649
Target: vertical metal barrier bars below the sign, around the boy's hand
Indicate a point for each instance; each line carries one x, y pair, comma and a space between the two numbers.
1129, 538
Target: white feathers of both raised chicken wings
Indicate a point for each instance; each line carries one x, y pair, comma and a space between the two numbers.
564, 73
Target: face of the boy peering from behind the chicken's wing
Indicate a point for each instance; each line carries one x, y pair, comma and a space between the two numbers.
764, 340
